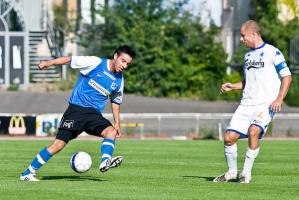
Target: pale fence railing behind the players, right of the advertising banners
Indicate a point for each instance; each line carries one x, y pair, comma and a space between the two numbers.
201, 124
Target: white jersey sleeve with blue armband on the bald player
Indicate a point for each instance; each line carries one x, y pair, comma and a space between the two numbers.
280, 64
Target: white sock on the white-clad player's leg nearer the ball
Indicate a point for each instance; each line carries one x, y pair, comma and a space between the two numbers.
231, 154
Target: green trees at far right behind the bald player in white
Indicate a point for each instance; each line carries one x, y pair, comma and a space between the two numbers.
278, 33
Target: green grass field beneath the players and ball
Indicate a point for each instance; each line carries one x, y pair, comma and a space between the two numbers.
151, 169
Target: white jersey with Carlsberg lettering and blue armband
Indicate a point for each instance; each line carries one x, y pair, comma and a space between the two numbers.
263, 69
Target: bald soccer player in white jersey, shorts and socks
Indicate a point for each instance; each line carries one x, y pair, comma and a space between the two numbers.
266, 82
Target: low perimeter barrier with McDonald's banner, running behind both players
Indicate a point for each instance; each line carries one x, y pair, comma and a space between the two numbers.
149, 125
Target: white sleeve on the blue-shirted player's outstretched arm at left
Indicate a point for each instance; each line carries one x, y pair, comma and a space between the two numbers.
85, 63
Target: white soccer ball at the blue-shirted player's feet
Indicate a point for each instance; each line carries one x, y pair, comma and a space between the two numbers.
80, 162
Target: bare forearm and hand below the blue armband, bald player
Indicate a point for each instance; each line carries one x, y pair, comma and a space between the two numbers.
285, 84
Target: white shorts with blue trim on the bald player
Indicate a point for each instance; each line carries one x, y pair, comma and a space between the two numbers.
244, 116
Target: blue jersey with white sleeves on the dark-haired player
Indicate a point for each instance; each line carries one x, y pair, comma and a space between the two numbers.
96, 83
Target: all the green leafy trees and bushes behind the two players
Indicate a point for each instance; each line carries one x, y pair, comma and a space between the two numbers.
176, 55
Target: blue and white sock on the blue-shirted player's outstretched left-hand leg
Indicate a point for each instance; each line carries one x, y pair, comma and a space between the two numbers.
41, 158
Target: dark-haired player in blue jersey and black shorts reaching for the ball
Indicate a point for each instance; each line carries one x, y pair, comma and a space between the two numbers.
100, 79
